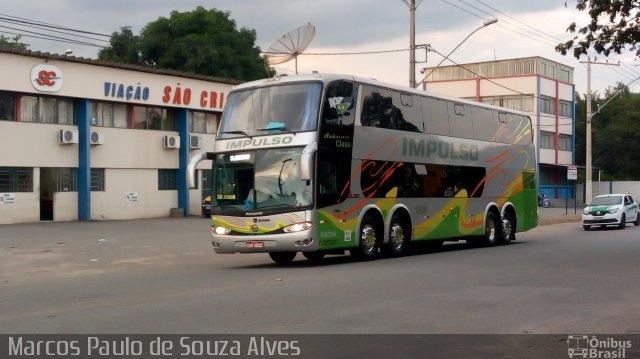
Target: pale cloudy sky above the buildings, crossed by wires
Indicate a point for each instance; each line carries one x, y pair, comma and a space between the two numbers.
371, 27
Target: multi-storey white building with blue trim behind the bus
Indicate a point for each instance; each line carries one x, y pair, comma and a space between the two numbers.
536, 85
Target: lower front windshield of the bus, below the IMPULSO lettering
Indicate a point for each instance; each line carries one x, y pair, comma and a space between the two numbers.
260, 180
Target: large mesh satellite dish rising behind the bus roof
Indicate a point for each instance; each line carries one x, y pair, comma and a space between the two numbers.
290, 45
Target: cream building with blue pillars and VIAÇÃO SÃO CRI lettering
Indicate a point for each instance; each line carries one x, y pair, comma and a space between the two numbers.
88, 140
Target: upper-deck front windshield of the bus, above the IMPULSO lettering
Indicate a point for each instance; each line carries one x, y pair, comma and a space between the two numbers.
271, 109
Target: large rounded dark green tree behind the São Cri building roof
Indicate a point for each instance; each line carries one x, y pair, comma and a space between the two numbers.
201, 41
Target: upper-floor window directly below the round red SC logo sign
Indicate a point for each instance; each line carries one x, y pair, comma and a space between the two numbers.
46, 110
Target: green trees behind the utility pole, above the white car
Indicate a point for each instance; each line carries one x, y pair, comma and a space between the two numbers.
615, 133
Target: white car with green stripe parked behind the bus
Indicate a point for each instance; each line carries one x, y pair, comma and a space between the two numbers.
610, 209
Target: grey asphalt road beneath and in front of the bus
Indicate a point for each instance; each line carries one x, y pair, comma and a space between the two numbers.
162, 276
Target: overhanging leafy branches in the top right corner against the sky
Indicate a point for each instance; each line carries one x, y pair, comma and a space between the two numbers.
614, 24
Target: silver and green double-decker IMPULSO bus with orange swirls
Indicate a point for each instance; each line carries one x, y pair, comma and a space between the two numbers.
324, 164
